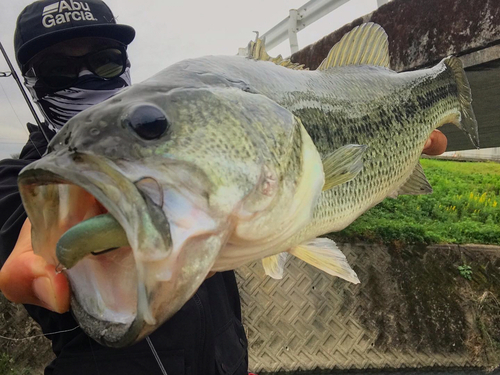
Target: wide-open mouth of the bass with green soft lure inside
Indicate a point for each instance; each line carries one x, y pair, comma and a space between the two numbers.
110, 299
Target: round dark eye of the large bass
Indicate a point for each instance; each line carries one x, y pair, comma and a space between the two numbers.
148, 121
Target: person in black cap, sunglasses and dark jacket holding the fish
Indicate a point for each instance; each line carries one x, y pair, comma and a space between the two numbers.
71, 62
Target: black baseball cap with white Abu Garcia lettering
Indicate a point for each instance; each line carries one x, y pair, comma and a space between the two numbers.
47, 22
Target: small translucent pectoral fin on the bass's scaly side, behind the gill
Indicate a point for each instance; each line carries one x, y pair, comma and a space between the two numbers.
343, 165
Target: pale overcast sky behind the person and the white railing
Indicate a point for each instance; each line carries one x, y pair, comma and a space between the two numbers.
167, 32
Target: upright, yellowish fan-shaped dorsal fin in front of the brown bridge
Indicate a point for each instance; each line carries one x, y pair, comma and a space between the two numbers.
366, 44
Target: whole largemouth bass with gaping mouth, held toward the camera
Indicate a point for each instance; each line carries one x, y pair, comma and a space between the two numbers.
219, 161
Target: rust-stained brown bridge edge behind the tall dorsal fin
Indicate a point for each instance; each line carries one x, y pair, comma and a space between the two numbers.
422, 32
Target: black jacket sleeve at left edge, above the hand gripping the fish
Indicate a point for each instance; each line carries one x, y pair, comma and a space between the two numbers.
12, 214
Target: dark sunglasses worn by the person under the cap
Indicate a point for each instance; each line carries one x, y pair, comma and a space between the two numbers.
58, 72
